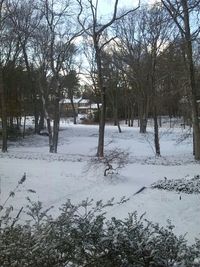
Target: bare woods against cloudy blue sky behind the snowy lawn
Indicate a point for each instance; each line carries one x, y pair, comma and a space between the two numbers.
138, 63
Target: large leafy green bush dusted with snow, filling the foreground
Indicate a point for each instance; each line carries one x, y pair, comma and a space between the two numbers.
82, 236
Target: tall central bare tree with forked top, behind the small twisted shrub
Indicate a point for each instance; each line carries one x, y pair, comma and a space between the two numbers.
95, 29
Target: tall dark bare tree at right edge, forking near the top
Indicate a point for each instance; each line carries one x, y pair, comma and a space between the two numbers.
181, 12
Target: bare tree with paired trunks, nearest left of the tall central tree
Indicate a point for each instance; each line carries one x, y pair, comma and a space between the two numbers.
59, 46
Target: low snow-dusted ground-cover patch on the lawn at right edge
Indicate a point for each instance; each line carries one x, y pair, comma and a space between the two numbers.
184, 185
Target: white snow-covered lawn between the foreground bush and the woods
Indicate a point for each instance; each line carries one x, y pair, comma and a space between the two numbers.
69, 174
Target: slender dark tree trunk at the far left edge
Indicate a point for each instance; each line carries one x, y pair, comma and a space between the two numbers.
3, 113
